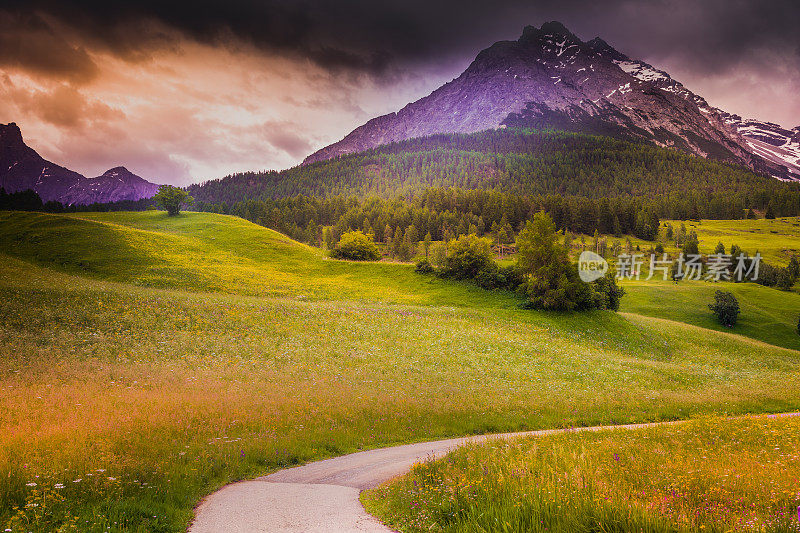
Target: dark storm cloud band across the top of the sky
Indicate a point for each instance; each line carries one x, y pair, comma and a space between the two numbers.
373, 37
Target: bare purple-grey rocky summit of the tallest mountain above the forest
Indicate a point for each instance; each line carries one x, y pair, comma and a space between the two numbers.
550, 78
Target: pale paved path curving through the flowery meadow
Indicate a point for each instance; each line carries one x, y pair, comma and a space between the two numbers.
323, 496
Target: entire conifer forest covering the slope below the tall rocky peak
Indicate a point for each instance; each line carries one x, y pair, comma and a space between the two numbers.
448, 184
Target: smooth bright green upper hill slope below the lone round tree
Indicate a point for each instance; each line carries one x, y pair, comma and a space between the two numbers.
215, 253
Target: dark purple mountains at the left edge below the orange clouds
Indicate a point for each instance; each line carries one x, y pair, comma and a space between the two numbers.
22, 168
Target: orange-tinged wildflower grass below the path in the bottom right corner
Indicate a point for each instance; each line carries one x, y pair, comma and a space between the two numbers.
711, 475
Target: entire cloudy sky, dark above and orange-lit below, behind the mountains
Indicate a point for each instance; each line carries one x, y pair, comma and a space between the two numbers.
182, 92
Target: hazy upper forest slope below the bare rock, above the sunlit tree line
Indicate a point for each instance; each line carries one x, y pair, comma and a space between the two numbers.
524, 163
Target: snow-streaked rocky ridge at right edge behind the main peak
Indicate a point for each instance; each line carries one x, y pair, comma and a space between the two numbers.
771, 141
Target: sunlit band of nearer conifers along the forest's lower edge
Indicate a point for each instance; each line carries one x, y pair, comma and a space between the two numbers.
443, 213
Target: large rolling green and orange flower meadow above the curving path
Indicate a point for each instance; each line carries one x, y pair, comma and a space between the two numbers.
146, 361
